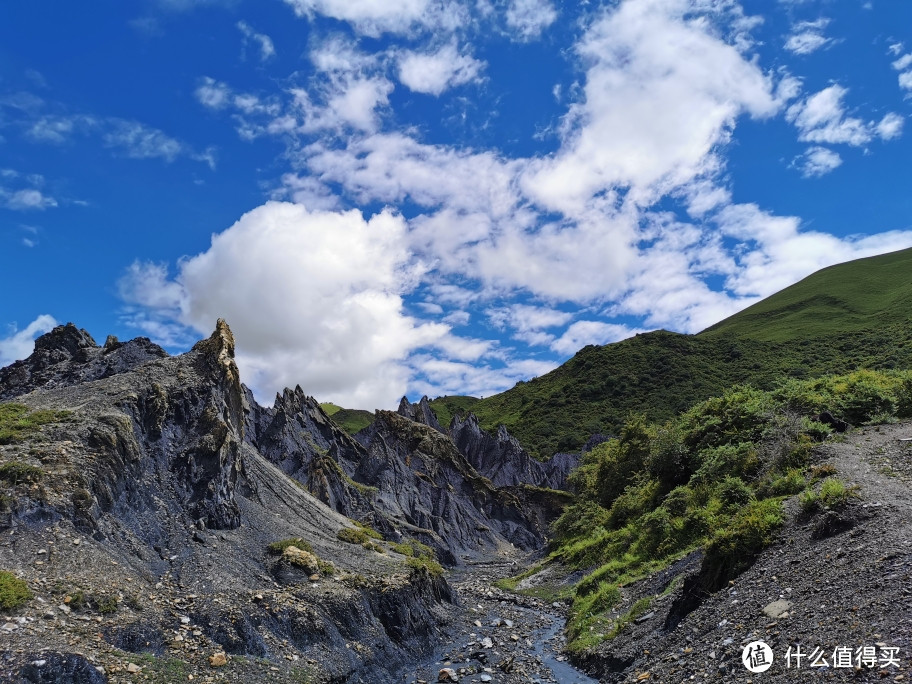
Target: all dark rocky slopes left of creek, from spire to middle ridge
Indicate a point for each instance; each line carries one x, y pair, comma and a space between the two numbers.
141, 522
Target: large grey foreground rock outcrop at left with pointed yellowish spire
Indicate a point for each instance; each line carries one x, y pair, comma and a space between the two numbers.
153, 493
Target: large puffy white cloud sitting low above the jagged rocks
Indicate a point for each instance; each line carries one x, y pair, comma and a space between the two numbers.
313, 298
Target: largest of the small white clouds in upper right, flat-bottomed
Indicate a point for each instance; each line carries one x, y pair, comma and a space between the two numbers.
821, 118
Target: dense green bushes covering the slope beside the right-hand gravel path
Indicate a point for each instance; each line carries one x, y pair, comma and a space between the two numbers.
715, 476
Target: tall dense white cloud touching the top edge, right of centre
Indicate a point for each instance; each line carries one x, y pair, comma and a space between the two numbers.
661, 93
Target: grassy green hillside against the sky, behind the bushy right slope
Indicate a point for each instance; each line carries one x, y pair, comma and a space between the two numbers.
854, 315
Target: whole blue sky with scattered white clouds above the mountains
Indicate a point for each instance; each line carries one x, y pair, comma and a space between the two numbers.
437, 197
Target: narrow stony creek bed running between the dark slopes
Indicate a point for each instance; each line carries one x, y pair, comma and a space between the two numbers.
499, 637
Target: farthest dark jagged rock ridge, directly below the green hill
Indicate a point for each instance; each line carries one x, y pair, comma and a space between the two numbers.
502, 459
